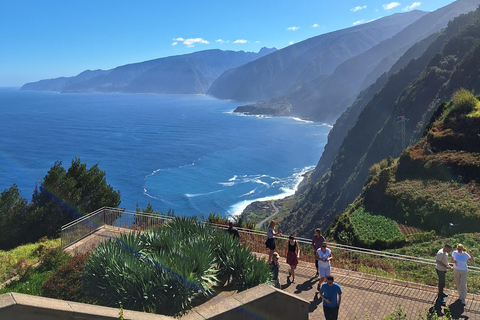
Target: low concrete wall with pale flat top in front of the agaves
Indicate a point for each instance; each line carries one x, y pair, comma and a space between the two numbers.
260, 302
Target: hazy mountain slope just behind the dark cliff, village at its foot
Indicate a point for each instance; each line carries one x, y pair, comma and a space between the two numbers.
325, 98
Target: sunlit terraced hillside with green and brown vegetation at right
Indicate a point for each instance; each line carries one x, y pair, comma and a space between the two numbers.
433, 185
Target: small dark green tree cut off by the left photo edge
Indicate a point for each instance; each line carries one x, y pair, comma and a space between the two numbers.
13, 210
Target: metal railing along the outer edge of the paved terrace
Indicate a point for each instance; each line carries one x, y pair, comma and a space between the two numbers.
381, 264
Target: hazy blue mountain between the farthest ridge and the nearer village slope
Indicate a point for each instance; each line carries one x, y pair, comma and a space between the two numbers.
289, 68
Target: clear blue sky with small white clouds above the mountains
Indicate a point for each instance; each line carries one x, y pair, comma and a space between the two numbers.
44, 39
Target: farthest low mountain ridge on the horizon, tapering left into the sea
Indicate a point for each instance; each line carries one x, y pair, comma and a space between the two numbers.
184, 74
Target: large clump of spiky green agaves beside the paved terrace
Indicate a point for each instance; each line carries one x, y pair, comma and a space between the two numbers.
164, 270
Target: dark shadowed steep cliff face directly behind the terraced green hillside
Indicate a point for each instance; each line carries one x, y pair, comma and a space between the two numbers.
394, 118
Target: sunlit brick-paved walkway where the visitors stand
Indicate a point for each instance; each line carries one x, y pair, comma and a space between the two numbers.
364, 296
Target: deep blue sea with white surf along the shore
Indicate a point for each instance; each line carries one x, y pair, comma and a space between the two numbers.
189, 153
